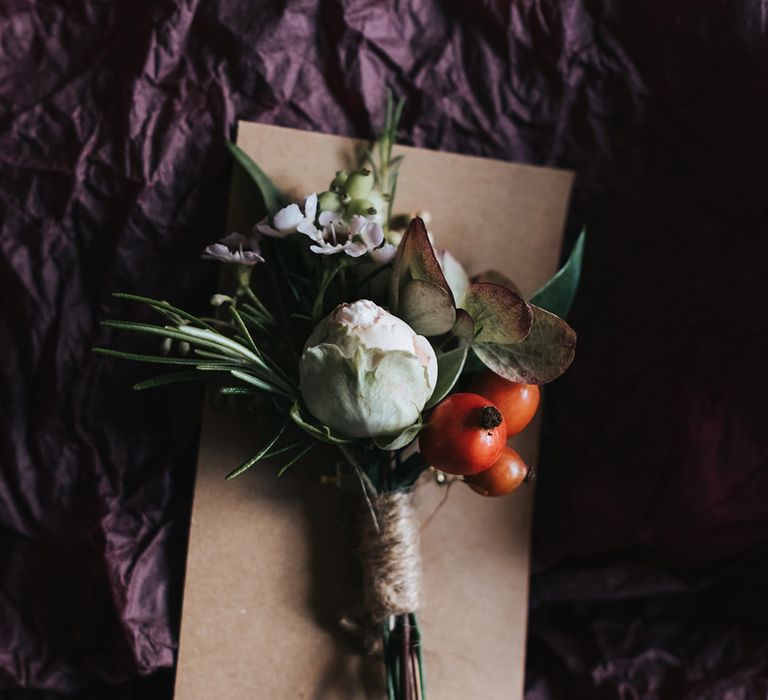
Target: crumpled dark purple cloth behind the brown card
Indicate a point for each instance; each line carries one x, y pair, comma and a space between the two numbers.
652, 516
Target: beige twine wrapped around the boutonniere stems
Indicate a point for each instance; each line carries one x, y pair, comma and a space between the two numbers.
389, 552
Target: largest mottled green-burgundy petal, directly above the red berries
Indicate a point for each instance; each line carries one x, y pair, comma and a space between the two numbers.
542, 356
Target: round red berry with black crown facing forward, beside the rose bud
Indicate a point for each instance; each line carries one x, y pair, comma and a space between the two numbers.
465, 434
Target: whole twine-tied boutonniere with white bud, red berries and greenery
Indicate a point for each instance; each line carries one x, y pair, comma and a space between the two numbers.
347, 328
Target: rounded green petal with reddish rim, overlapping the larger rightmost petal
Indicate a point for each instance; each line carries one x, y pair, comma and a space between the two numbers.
500, 314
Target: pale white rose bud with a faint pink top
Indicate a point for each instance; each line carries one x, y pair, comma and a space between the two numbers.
365, 372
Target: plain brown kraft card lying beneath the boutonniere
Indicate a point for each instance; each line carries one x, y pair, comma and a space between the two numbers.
271, 561
